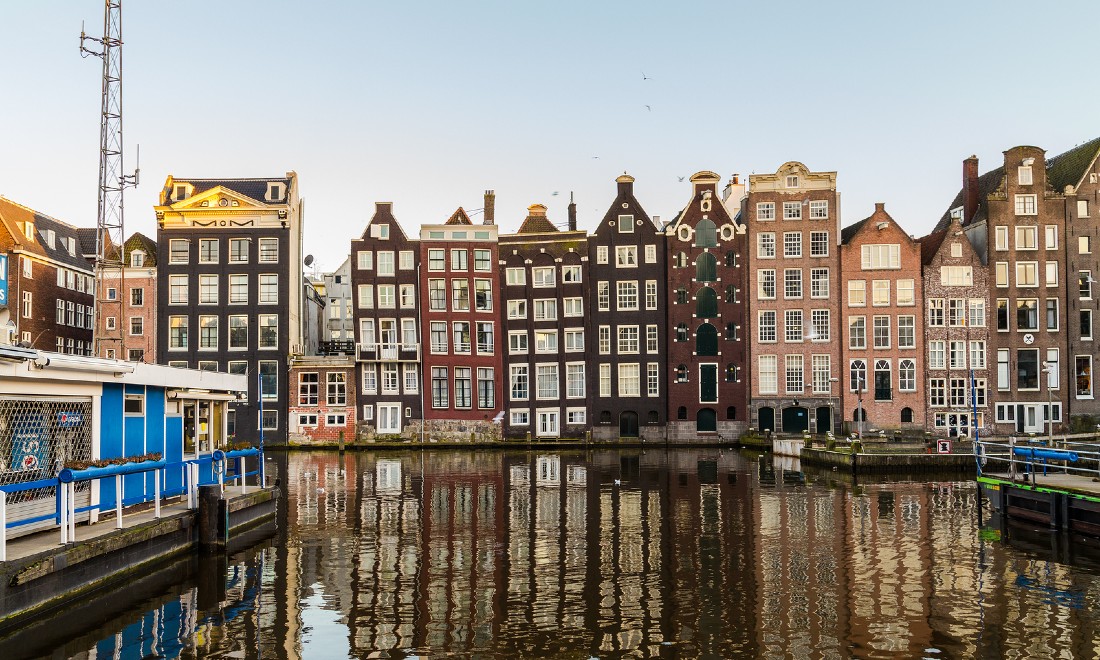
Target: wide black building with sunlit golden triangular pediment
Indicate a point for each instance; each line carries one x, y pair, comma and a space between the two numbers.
230, 289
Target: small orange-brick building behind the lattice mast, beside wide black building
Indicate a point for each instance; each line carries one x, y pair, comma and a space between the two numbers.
137, 296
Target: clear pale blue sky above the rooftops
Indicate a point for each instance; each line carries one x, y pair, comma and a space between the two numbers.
427, 105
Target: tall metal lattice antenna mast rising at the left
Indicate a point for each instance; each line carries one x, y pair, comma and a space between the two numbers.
109, 230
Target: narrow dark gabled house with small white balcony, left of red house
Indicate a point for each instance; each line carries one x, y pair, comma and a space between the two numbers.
386, 289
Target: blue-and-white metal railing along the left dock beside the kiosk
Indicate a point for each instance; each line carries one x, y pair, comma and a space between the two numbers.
65, 509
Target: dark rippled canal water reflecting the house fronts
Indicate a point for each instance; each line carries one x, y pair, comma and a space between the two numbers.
683, 554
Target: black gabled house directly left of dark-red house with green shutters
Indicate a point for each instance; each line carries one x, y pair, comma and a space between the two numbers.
628, 317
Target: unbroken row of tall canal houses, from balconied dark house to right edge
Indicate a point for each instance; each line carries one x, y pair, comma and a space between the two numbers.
755, 307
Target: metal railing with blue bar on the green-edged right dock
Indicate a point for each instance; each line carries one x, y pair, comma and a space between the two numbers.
1031, 457
